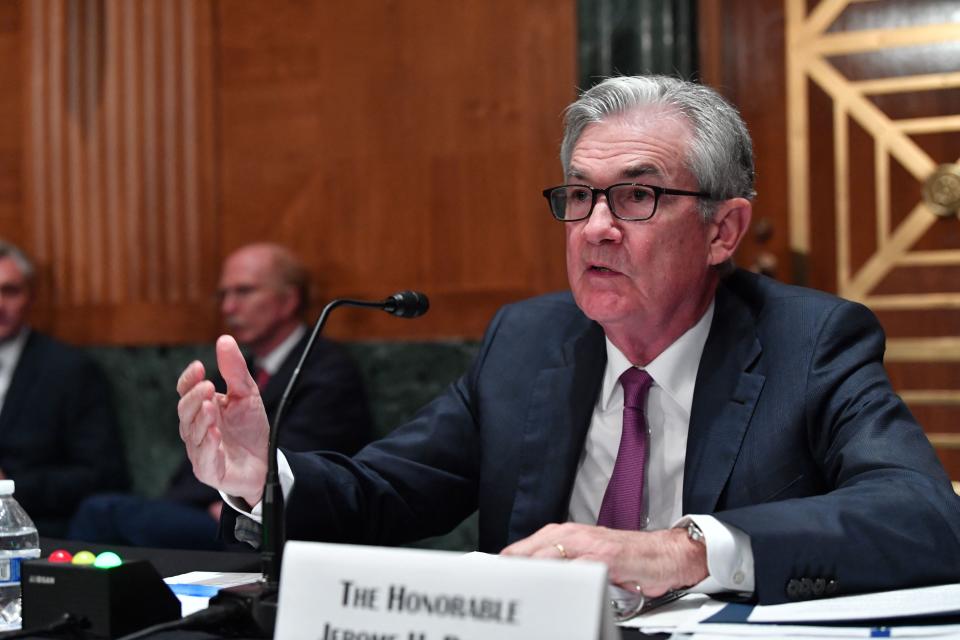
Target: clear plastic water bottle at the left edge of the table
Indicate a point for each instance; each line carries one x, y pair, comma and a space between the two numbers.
18, 541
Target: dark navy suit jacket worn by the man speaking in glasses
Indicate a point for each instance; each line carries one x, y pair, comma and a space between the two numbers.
796, 437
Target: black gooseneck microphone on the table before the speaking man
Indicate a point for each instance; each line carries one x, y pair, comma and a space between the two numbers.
259, 600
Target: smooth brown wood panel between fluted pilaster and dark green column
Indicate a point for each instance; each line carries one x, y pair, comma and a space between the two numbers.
405, 148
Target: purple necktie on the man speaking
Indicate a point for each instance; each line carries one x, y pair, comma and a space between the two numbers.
622, 506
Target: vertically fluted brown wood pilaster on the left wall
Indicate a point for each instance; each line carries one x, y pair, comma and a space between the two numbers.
112, 152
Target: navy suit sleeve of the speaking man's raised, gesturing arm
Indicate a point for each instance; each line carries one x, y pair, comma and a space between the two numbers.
420, 481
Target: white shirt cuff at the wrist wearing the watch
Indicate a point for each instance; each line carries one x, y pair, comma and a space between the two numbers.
729, 556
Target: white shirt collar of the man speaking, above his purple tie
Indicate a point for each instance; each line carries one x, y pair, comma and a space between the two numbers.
674, 370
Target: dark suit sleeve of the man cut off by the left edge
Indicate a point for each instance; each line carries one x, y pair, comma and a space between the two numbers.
90, 457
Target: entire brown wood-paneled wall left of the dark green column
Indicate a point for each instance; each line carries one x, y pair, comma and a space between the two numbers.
390, 144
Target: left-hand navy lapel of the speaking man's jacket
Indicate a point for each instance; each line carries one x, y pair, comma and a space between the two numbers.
561, 404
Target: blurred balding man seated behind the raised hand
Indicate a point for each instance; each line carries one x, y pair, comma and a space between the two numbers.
263, 293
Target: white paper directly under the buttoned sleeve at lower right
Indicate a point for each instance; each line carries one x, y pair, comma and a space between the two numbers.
944, 599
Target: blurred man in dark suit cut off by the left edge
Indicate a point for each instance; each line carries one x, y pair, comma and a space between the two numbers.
58, 432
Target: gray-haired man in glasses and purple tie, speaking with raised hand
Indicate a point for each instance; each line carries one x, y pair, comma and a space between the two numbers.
686, 423
